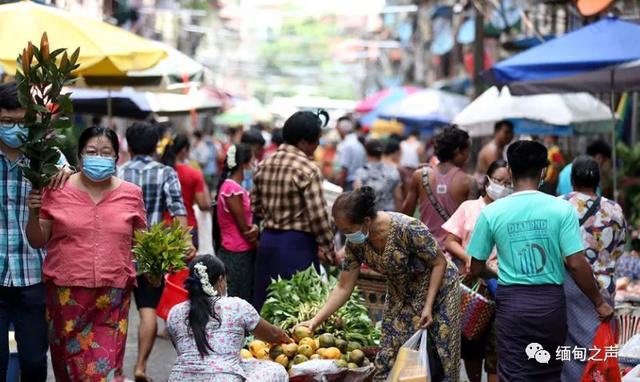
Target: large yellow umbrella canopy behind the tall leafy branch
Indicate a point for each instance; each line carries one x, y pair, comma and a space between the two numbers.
105, 50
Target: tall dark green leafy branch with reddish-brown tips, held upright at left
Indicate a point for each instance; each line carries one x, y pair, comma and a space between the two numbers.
40, 83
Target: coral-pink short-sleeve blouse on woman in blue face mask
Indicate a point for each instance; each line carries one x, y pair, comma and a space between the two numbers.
90, 244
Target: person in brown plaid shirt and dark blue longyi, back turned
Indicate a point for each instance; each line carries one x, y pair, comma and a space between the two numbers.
288, 198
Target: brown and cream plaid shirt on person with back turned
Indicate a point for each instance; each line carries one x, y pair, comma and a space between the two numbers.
287, 195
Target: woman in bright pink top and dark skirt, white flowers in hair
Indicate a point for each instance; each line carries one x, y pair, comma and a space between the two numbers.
236, 233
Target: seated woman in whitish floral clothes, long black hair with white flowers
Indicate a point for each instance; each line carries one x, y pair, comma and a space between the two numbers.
209, 330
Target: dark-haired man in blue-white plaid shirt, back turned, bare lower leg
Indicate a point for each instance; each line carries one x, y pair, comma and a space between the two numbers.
162, 193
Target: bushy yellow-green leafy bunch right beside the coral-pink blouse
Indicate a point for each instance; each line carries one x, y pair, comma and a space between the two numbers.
161, 250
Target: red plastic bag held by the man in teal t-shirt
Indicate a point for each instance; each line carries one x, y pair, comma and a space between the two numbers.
602, 368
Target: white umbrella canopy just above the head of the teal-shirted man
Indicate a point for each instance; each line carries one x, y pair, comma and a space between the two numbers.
582, 111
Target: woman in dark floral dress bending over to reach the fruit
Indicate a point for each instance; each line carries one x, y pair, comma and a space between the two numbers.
422, 285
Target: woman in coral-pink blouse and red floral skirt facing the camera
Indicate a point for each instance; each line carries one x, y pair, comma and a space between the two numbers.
87, 228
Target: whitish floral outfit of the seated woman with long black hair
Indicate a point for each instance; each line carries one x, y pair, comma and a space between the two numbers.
223, 364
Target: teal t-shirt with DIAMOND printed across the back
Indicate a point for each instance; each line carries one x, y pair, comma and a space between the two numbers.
532, 233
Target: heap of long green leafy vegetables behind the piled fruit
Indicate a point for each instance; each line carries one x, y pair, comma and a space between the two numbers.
290, 302
